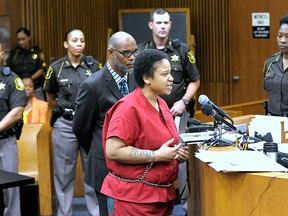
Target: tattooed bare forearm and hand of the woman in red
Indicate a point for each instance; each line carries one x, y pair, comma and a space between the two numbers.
117, 150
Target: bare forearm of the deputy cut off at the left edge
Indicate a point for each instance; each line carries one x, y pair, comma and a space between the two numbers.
11, 118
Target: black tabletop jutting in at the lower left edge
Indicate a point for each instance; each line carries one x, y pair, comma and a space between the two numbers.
8, 179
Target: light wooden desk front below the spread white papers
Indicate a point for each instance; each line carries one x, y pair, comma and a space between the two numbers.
233, 194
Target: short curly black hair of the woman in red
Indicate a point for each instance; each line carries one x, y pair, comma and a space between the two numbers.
145, 64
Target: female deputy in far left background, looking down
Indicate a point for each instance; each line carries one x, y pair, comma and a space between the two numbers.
26, 60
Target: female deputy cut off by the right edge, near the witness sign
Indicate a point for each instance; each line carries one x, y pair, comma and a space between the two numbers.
276, 74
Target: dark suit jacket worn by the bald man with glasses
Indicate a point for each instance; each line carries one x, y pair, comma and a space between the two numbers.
96, 95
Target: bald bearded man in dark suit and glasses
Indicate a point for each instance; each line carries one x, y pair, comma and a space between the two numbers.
96, 95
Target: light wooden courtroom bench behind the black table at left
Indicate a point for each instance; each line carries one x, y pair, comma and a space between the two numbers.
36, 160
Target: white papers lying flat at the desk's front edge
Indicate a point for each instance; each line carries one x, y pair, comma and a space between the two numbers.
240, 161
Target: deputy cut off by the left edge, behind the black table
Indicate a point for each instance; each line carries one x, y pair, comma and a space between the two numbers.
12, 103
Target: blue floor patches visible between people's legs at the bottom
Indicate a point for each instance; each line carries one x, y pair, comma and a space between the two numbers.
79, 208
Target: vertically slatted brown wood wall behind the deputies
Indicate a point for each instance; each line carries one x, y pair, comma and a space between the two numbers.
50, 19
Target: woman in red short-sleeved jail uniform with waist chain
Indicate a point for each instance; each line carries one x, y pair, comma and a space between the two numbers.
140, 141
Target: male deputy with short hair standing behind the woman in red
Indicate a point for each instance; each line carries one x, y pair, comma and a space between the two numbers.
183, 69
